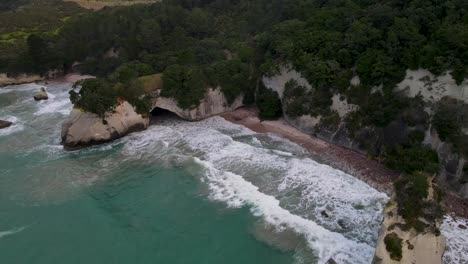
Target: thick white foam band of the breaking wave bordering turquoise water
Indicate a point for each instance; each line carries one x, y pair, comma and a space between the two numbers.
236, 192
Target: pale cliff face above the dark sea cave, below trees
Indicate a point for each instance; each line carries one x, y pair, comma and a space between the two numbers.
214, 103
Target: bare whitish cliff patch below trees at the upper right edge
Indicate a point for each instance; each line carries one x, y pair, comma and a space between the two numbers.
433, 88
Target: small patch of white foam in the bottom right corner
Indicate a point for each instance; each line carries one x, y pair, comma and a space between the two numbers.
457, 240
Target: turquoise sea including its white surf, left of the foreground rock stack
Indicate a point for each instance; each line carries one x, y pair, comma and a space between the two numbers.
202, 192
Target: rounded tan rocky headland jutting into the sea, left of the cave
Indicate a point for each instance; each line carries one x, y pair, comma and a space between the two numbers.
84, 129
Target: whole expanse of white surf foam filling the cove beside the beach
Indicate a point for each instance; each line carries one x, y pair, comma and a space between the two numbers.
282, 187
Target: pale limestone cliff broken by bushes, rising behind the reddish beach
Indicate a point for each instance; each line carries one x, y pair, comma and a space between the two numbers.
370, 140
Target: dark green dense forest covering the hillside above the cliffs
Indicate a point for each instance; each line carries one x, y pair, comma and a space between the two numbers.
328, 41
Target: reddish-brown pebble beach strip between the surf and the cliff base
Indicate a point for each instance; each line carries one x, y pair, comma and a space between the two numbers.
357, 165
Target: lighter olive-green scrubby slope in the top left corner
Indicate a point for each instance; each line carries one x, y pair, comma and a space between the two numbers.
40, 20
